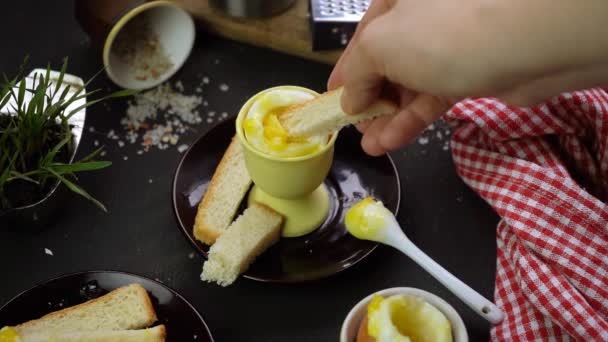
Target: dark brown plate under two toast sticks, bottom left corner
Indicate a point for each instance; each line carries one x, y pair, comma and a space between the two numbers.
181, 319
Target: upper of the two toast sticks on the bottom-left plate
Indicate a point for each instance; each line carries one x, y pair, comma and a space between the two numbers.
125, 308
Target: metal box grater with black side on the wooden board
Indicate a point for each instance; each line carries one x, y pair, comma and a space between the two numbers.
333, 22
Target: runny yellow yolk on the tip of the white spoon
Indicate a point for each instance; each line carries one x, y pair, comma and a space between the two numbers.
366, 219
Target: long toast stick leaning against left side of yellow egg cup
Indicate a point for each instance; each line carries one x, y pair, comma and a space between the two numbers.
228, 186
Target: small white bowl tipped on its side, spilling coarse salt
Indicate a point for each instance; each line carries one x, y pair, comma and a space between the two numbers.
176, 32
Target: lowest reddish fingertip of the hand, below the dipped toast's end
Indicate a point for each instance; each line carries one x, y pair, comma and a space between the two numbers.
411, 121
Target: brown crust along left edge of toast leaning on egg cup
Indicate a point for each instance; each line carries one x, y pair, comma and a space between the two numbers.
202, 231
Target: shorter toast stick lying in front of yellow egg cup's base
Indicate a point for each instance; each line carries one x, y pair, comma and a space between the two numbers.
247, 237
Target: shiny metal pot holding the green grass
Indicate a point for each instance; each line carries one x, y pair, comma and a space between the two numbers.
38, 214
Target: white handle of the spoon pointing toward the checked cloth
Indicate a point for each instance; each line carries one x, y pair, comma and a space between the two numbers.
472, 298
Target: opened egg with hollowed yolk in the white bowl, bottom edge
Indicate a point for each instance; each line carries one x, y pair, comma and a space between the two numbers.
403, 318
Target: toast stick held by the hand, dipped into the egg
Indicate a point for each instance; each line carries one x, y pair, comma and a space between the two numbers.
324, 115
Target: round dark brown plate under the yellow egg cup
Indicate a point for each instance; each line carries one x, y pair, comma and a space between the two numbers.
327, 250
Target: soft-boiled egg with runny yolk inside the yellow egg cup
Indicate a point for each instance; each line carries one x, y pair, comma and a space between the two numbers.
264, 131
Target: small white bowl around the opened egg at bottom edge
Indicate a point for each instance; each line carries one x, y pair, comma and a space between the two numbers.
353, 320
